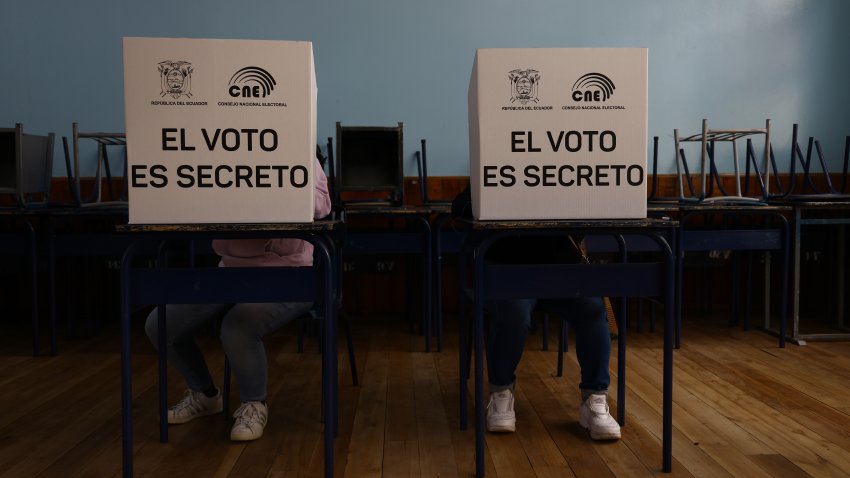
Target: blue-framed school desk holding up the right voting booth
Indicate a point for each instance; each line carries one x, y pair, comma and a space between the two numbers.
622, 279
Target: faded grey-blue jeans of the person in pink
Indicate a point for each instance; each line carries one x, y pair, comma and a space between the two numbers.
243, 327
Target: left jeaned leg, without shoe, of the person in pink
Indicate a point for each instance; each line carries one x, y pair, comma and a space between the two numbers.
183, 322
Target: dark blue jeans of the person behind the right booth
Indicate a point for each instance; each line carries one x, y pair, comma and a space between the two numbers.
509, 324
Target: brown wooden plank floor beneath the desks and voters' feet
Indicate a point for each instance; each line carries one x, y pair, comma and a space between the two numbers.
742, 407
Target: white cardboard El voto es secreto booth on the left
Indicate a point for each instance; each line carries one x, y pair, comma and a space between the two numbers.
219, 131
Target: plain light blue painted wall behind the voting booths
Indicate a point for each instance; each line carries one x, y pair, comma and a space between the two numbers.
735, 62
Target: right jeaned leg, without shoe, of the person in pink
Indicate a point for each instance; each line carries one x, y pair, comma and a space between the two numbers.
242, 330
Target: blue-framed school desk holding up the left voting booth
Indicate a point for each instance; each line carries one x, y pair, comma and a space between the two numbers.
164, 285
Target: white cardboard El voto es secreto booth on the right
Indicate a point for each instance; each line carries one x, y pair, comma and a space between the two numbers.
558, 133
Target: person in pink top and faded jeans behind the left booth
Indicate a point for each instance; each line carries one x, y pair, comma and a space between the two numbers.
243, 327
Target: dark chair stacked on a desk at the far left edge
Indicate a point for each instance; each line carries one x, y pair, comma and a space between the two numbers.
26, 166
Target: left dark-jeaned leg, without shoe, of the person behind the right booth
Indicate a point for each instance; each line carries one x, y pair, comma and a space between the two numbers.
509, 324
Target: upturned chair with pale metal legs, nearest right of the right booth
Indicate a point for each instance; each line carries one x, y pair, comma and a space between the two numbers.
711, 187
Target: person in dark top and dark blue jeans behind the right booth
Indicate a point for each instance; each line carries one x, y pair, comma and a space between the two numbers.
510, 321
